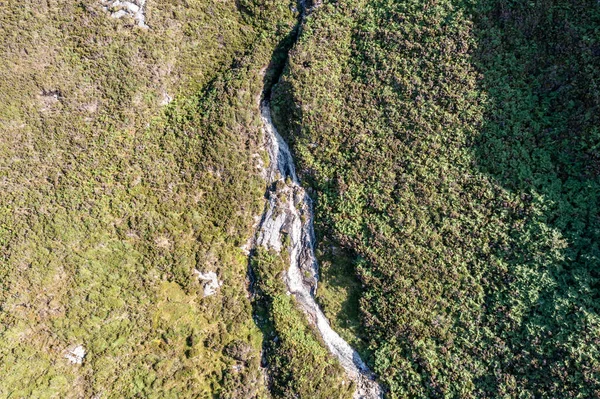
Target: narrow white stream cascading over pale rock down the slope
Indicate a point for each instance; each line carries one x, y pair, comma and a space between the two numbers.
289, 211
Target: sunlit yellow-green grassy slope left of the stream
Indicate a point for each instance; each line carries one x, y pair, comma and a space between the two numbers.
109, 201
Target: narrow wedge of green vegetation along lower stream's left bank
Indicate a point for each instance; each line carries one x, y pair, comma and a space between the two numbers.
299, 365
